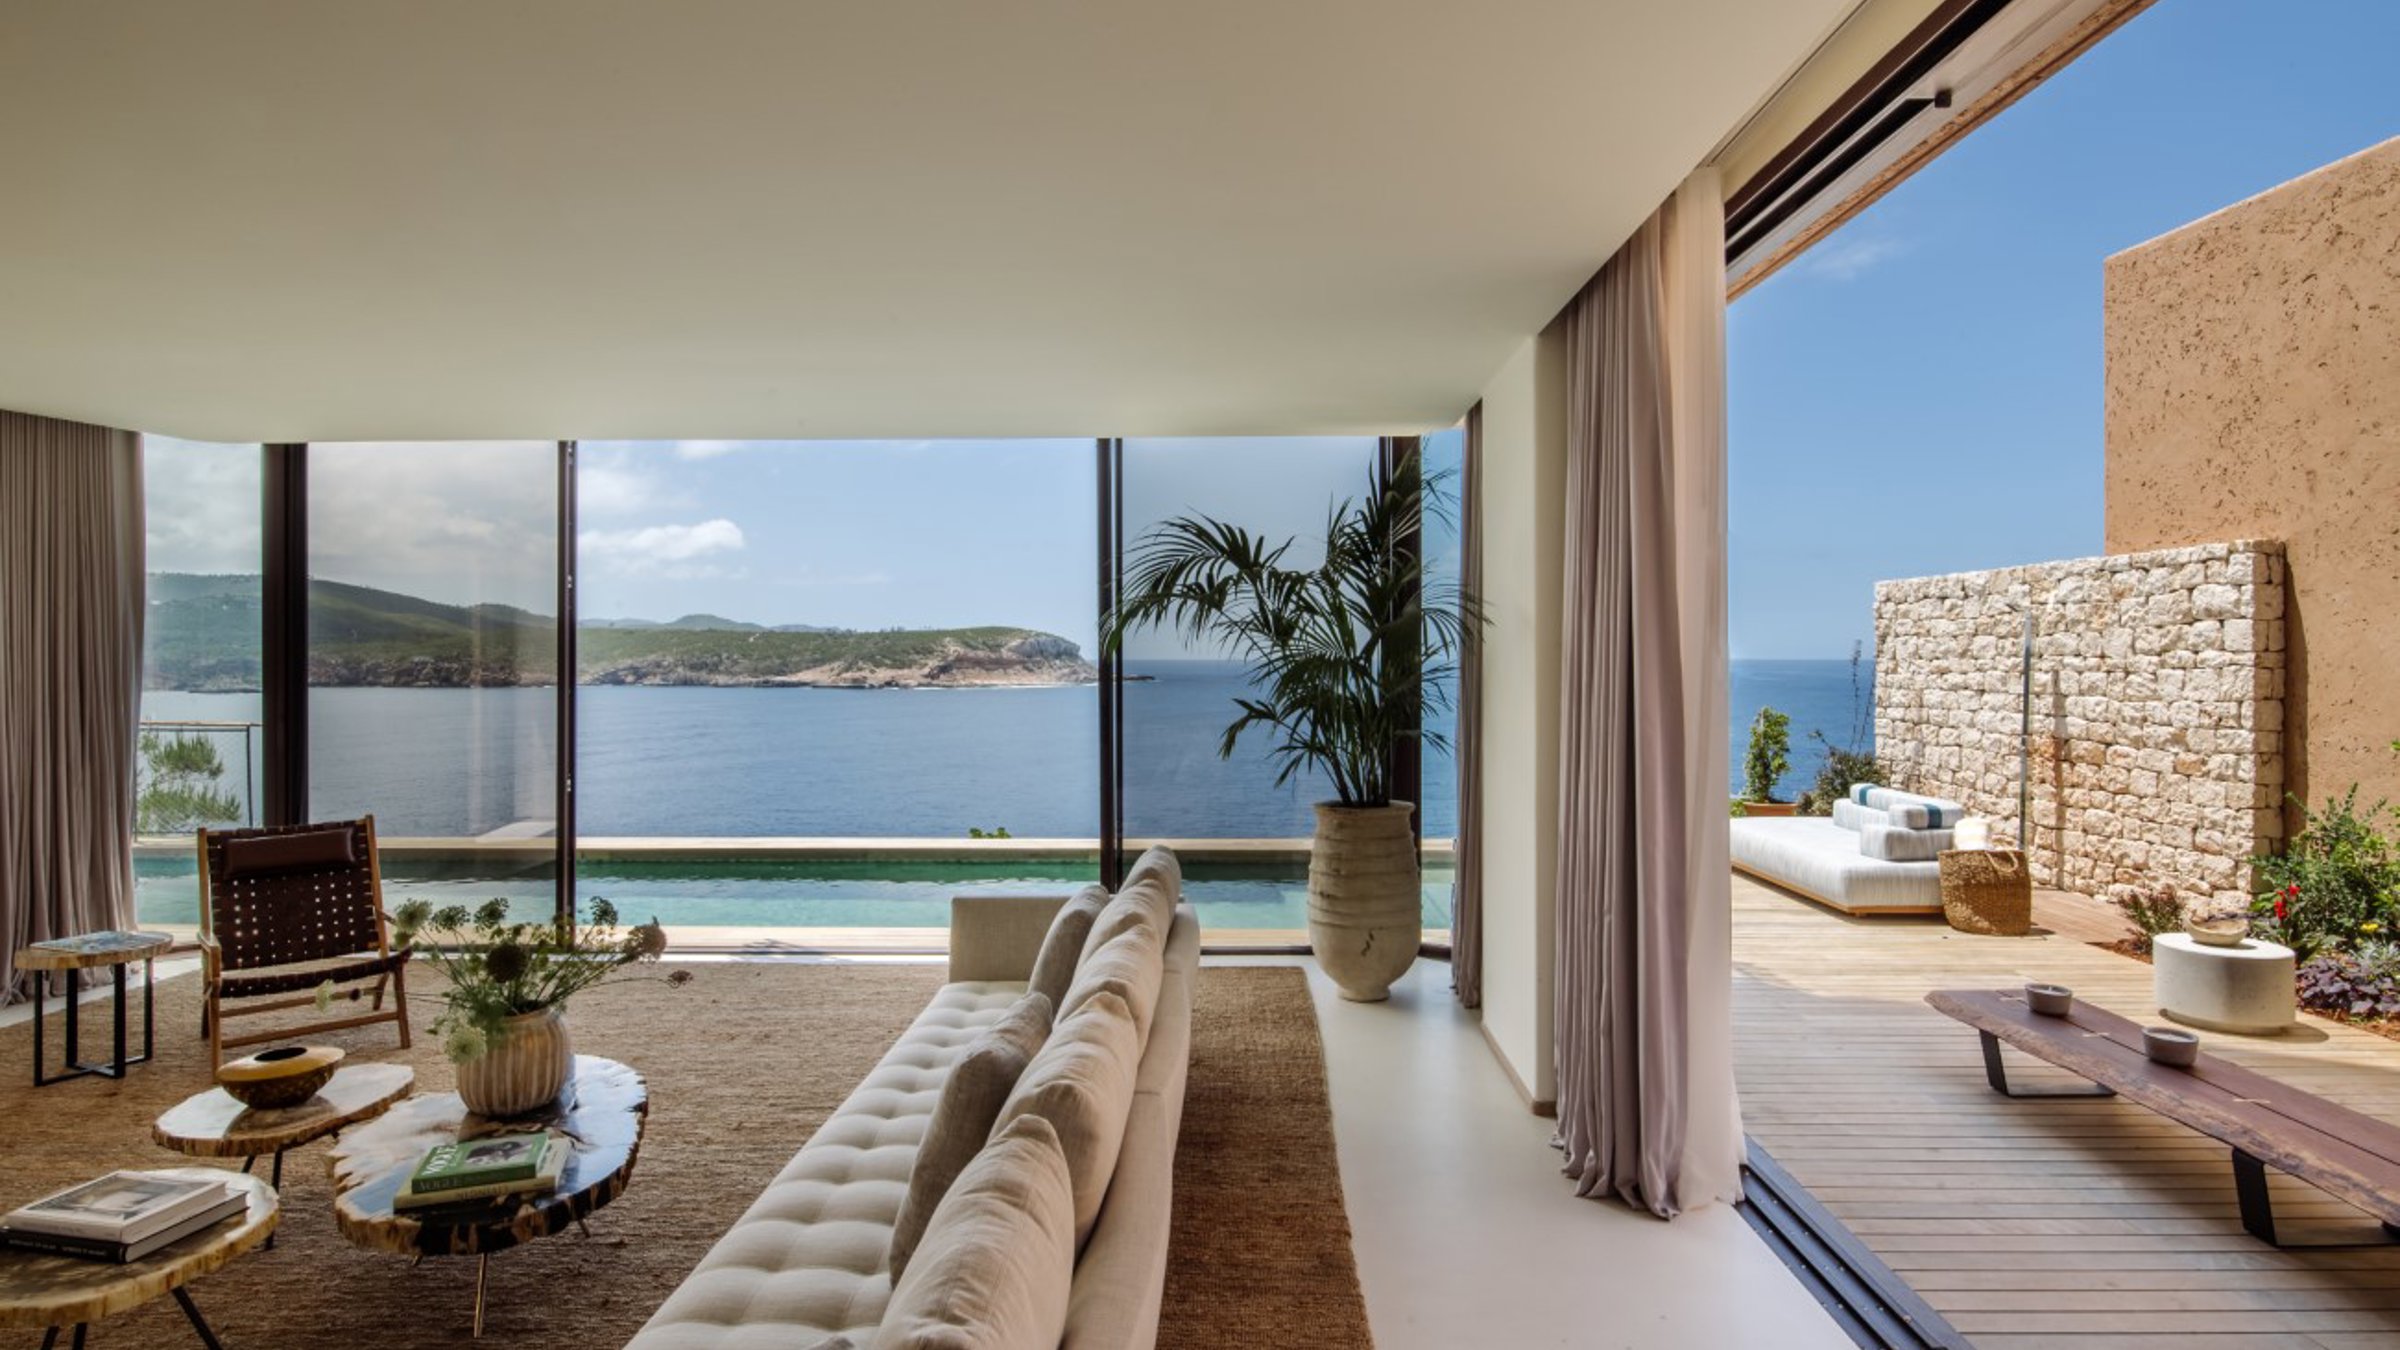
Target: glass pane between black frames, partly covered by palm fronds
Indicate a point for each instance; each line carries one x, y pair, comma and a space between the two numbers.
1180, 693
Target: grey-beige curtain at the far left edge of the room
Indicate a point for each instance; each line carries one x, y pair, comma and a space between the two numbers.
71, 681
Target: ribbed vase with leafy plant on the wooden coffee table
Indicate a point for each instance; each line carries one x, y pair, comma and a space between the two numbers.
508, 988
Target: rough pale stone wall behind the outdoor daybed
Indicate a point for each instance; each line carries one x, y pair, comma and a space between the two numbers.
2156, 710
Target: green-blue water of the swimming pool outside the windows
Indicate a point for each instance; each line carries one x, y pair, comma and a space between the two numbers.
803, 895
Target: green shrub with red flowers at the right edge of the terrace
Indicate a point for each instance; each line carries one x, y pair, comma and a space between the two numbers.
2336, 883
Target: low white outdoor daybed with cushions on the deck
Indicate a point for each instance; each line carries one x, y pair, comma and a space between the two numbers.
1876, 856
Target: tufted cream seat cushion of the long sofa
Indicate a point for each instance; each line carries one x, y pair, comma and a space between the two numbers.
808, 1260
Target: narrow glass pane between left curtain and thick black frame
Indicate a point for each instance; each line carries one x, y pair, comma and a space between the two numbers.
200, 664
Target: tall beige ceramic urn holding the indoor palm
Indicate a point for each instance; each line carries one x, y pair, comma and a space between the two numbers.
1364, 900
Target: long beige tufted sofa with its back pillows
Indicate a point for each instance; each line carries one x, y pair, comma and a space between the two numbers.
810, 1265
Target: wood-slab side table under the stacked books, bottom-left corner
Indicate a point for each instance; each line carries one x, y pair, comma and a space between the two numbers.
64, 1291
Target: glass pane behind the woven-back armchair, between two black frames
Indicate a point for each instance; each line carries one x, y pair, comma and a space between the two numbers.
433, 662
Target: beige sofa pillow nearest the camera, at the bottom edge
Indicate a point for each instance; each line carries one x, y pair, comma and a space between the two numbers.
997, 1265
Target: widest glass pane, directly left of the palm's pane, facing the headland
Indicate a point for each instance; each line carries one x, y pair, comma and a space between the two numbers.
848, 659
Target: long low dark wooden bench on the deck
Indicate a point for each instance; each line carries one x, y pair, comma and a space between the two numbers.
2269, 1125
